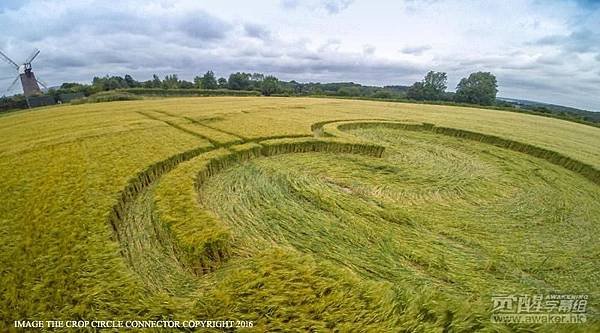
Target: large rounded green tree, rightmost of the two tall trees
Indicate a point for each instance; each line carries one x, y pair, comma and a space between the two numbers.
479, 88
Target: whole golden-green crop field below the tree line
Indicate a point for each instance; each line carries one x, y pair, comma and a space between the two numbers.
195, 209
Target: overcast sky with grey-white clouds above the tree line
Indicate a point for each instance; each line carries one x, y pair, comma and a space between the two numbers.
540, 49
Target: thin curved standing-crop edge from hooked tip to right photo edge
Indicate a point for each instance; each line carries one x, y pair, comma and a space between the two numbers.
591, 173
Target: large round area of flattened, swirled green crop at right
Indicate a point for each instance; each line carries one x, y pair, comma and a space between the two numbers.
436, 212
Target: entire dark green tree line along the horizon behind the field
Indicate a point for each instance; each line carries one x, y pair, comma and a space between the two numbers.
478, 88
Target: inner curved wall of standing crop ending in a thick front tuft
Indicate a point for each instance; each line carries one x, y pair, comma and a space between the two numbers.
204, 246
